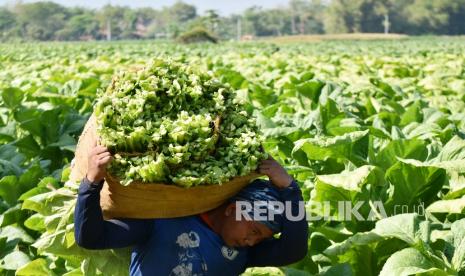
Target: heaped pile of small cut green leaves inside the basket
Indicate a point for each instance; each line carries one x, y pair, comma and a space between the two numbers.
170, 123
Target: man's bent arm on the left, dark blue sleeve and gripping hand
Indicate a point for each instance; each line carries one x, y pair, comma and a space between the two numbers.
91, 231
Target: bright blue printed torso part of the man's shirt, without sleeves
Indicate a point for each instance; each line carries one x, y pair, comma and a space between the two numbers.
185, 246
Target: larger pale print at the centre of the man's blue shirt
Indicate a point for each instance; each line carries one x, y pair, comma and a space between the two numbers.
190, 262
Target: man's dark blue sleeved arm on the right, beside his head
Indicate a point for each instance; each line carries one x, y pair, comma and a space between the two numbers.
291, 246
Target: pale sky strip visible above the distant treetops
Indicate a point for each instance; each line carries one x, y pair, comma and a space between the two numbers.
223, 7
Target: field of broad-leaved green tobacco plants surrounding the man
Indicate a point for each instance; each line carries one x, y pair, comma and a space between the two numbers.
379, 125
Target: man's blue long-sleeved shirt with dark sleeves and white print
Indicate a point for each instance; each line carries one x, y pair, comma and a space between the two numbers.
186, 245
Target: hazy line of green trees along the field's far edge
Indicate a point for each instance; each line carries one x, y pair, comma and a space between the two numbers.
50, 21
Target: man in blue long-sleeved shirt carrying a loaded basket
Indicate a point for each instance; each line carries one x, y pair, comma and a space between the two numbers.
213, 243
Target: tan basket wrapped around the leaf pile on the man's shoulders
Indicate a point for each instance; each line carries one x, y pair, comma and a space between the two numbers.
151, 200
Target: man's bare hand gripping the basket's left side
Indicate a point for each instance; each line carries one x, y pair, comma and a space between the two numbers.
98, 159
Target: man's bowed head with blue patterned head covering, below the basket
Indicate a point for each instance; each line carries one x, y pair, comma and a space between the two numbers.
240, 226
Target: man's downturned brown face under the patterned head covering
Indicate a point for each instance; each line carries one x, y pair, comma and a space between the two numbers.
242, 233
